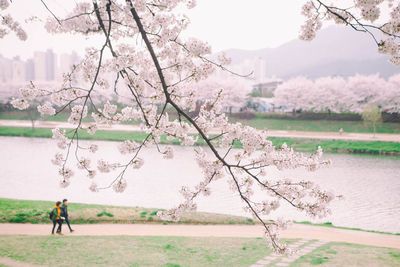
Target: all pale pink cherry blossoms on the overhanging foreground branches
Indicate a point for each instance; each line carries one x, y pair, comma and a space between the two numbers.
155, 69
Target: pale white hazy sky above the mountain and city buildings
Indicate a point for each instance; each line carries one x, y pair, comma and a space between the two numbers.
245, 24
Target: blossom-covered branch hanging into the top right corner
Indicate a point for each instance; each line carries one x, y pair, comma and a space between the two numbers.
362, 15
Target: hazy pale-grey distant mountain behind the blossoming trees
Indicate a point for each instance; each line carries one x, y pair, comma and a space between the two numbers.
335, 51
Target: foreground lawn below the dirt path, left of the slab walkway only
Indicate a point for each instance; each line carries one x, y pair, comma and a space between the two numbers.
133, 251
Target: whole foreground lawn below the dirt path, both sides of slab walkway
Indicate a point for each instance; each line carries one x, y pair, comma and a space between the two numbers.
178, 251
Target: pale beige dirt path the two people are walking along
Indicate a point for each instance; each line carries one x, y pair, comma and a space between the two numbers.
295, 231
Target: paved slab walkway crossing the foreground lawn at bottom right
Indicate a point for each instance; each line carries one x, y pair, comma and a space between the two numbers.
300, 248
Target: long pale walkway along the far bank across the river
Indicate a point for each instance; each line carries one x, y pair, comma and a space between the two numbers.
272, 133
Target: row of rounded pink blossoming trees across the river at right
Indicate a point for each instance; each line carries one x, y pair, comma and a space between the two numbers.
337, 94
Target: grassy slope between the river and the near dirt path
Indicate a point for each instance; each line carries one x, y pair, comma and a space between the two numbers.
30, 211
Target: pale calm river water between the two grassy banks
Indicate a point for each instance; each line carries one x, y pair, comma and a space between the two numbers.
370, 184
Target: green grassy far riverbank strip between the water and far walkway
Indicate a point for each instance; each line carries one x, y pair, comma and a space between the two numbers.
299, 144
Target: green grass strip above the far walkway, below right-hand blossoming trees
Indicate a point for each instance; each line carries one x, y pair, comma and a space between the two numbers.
320, 125
